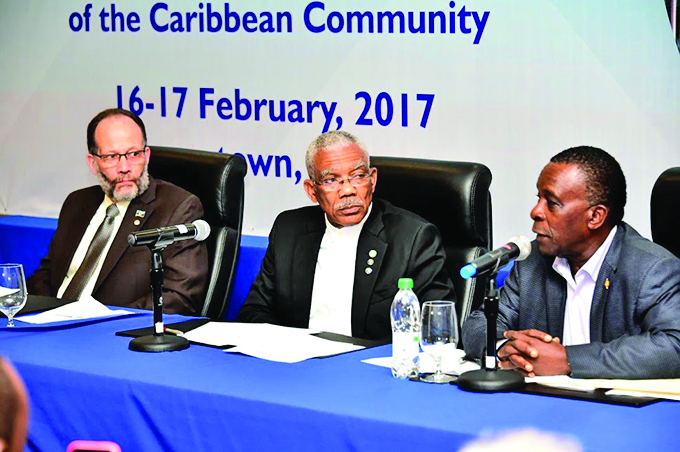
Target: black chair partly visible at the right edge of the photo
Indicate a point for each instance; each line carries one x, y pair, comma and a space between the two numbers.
665, 210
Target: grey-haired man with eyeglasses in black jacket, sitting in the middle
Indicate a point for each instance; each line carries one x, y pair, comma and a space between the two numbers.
334, 267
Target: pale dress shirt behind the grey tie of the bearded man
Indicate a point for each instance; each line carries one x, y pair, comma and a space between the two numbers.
85, 241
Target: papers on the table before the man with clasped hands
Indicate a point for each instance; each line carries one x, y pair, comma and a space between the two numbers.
658, 388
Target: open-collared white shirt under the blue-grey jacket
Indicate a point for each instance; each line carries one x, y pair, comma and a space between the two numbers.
580, 290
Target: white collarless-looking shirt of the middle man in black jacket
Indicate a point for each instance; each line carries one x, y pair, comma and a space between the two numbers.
334, 278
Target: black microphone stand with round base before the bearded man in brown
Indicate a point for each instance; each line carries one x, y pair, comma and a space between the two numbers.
158, 341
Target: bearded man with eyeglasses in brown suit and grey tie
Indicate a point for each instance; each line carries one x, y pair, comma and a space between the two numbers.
89, 253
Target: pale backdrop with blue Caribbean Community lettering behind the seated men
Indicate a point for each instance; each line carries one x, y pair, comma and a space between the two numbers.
541, 77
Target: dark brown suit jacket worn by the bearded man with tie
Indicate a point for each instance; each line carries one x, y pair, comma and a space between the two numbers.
124, 279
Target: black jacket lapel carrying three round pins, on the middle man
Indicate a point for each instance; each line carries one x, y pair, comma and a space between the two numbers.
372, 247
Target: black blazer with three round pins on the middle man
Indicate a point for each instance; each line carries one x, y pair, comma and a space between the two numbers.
407, 247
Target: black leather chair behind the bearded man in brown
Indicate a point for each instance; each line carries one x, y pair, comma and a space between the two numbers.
217, 180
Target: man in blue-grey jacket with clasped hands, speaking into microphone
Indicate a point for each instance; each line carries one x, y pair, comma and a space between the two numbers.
594, 299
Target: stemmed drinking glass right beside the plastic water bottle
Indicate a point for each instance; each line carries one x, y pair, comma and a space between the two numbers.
438, 336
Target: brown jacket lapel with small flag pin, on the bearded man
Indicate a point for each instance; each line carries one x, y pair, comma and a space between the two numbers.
127, 226
